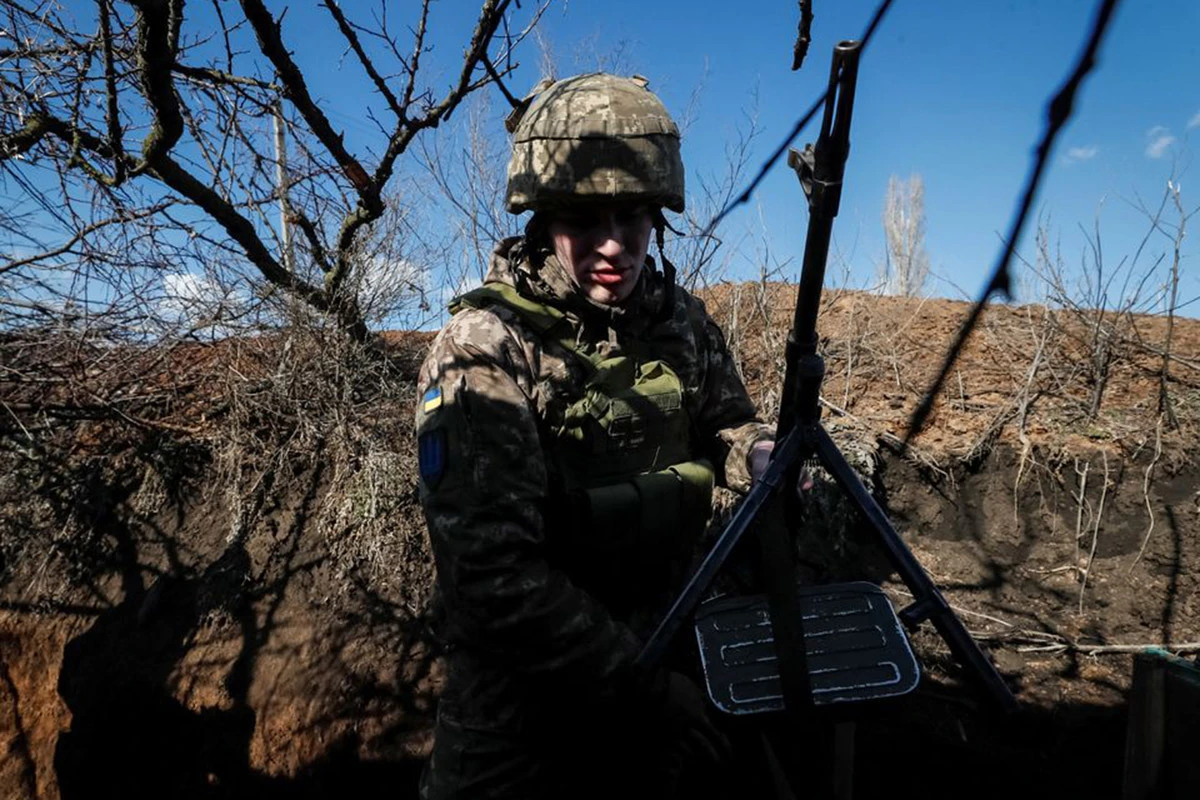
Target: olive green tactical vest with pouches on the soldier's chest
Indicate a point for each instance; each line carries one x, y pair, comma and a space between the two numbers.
629, 501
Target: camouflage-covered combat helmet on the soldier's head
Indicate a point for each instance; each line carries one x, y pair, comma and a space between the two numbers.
595, 137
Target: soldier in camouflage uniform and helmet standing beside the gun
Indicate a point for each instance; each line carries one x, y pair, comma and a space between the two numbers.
574, 417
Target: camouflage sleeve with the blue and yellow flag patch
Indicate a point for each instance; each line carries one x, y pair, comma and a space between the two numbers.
483, 490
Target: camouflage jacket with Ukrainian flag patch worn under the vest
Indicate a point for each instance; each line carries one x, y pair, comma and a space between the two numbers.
515, 624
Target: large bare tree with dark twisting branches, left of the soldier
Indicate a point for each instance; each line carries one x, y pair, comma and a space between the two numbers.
137, 140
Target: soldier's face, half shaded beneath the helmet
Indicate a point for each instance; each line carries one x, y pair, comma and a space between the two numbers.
603, 248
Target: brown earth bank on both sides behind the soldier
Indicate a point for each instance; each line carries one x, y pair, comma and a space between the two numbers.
179, 623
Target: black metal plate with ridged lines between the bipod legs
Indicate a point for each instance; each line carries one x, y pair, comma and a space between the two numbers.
857, 649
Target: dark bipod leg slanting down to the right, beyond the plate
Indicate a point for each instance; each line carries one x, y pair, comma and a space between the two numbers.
928, 601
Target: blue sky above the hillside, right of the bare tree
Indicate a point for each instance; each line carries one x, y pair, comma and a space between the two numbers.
955, 92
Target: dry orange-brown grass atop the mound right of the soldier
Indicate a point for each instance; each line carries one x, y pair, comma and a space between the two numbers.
1024, 378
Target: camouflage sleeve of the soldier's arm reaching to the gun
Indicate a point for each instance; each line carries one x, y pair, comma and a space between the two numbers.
728, 417
